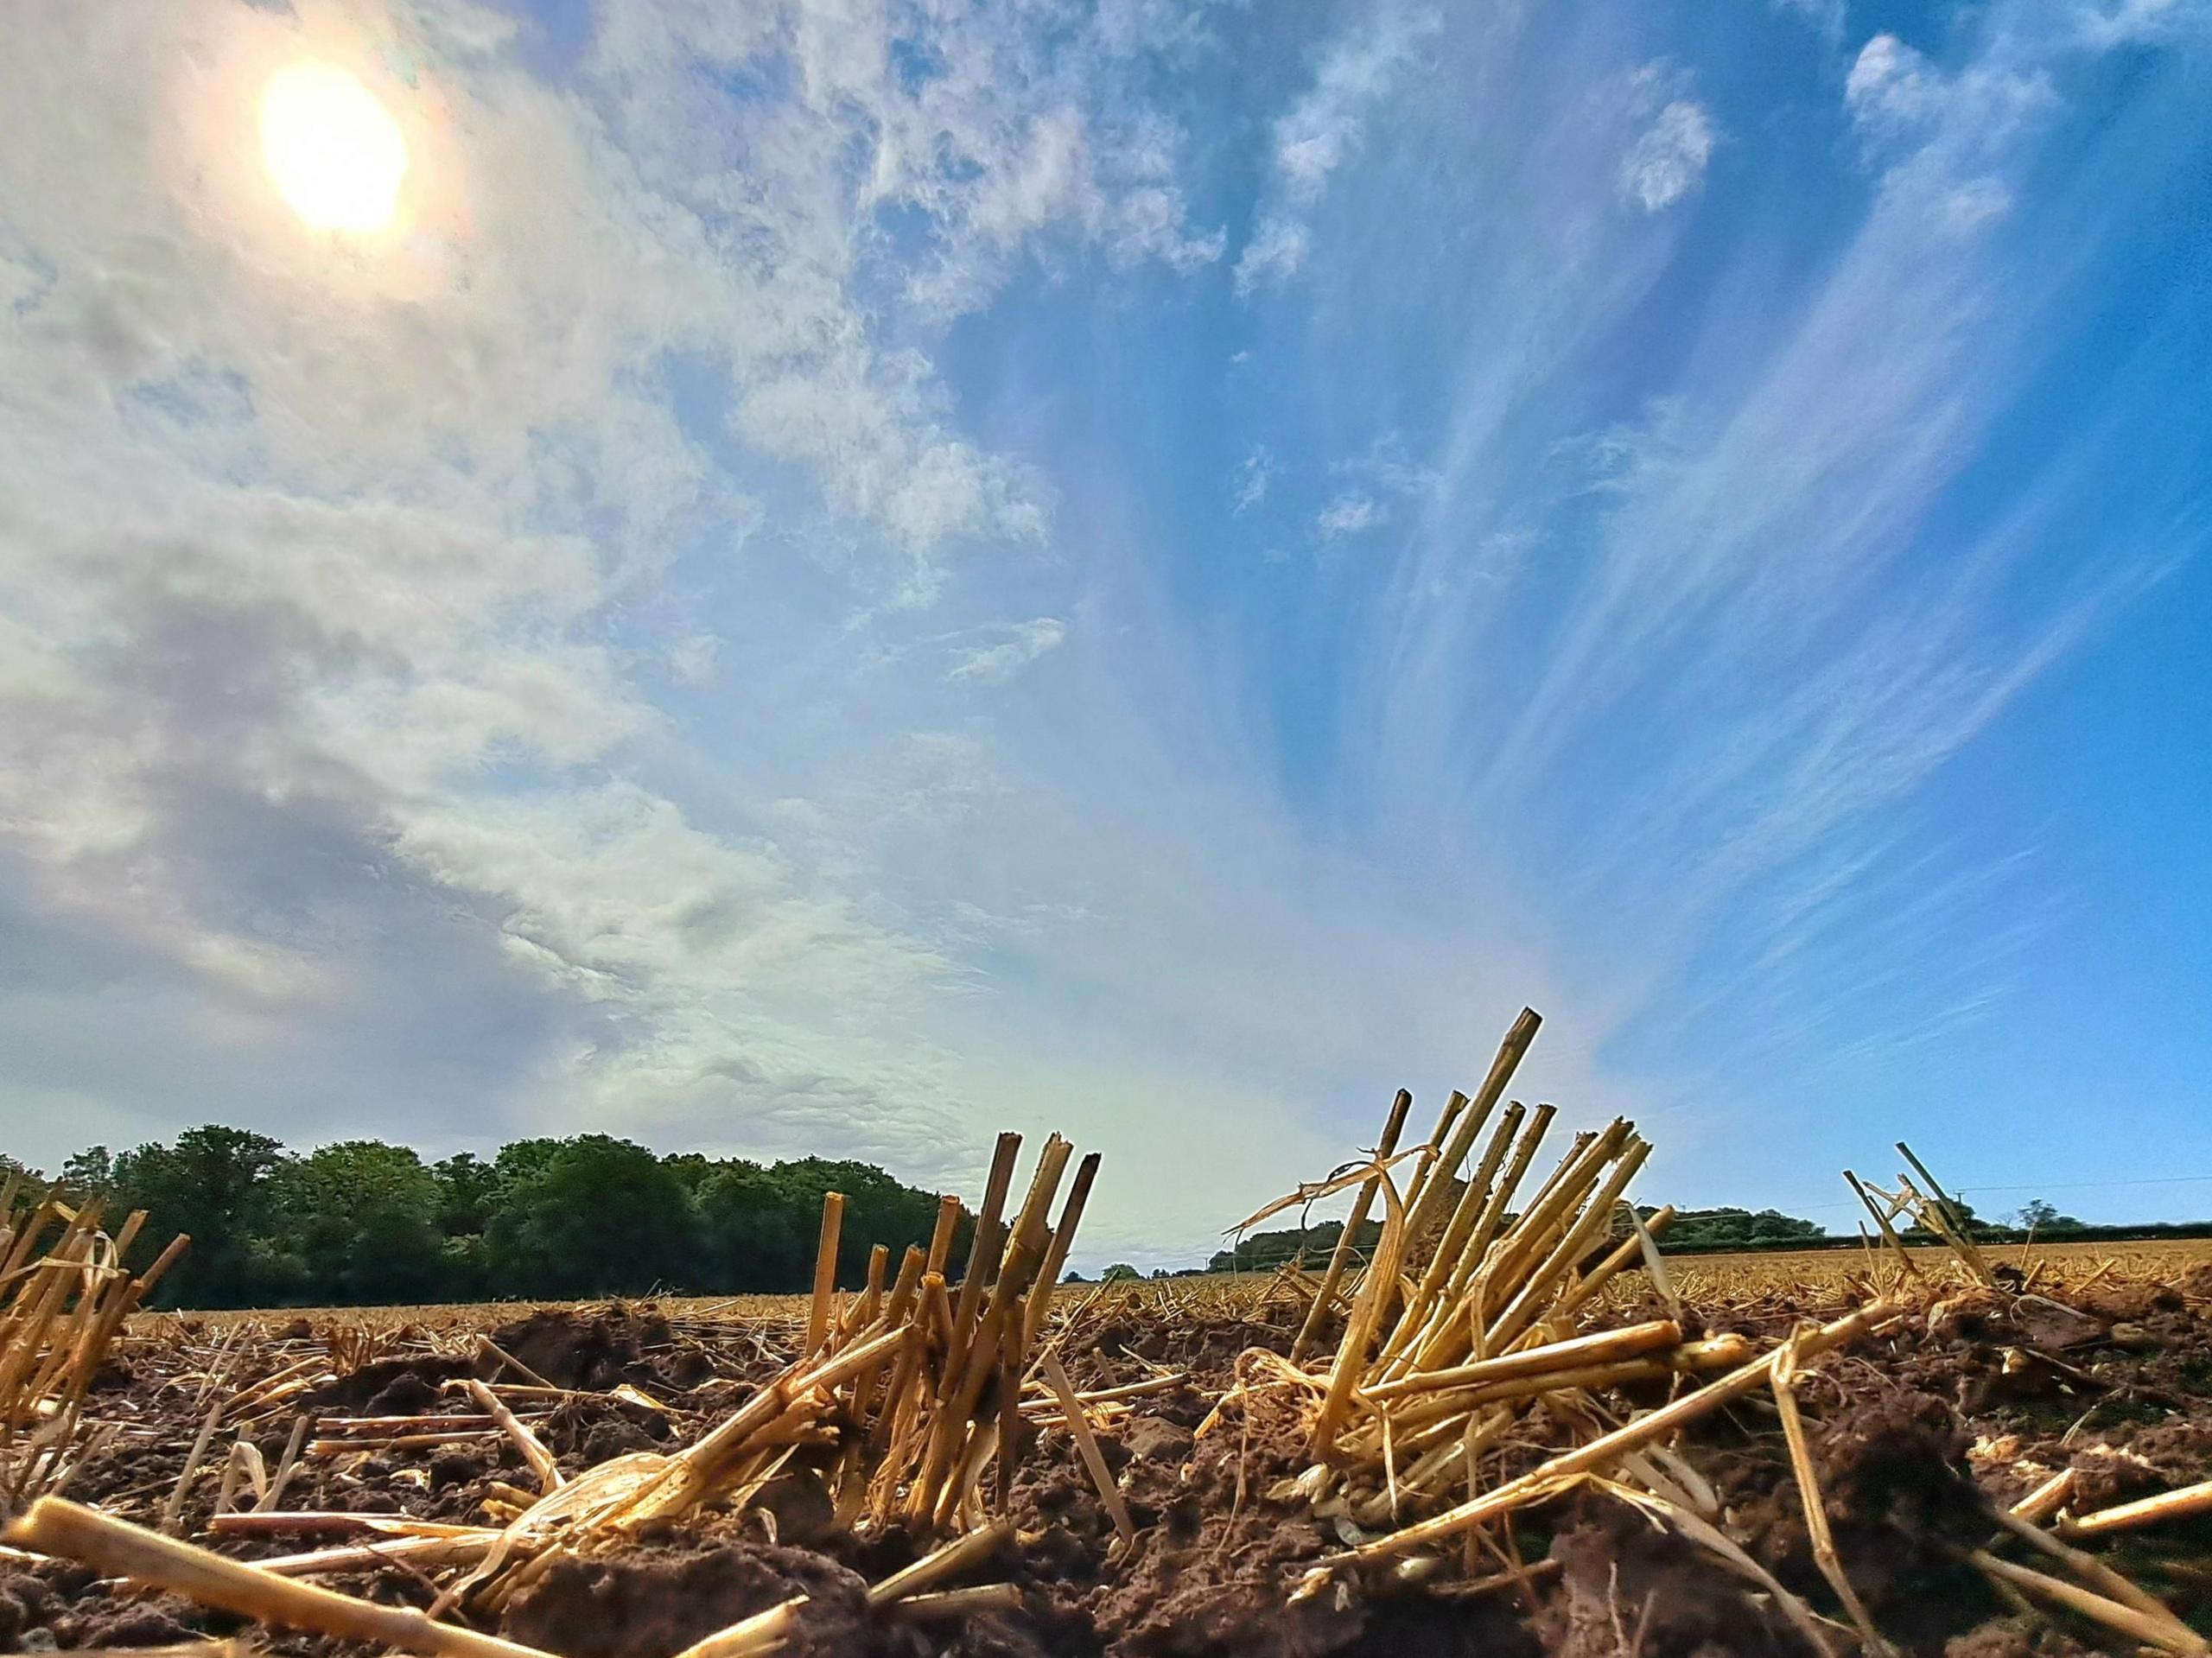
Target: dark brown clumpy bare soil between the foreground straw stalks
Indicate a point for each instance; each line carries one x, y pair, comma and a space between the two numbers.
1914, 1440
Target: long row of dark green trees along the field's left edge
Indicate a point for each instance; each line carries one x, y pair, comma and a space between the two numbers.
373, 1224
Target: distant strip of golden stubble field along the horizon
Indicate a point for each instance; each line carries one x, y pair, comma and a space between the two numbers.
1698, 1277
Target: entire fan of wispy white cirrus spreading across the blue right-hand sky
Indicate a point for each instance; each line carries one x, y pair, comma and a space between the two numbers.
1693, 662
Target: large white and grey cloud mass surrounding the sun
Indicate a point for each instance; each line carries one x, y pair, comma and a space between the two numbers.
328, 560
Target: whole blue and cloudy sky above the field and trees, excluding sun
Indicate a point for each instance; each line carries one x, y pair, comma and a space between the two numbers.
848, 576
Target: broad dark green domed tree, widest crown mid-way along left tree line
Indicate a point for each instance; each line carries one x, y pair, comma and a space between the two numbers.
589, 1217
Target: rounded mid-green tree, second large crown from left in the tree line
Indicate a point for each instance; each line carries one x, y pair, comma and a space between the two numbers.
357, 1224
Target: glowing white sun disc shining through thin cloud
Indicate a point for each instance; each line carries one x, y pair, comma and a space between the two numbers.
333, 151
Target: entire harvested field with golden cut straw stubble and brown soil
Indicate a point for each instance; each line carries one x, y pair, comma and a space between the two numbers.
1510, 1436
